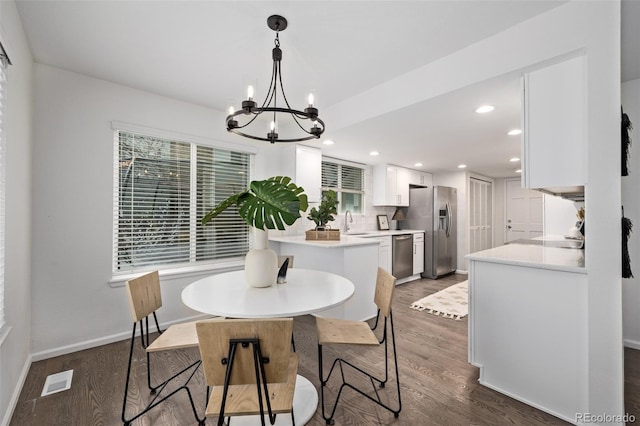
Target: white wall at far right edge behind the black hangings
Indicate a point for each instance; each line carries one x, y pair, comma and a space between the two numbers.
631, 203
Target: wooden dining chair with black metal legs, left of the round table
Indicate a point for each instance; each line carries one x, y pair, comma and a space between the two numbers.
144, 300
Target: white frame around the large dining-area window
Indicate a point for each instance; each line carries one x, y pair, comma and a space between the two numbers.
186, 268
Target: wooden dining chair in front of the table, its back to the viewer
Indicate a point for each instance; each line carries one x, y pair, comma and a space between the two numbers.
249, 367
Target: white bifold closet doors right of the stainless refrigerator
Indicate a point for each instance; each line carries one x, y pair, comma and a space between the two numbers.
480, 215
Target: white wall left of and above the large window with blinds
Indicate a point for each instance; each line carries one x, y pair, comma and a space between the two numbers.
73, 304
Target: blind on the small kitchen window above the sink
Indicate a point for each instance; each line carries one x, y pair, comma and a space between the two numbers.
348, 182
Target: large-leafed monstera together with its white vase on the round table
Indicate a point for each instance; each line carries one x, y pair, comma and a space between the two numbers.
267, 204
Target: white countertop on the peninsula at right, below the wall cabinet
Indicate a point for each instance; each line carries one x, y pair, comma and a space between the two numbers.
536, 256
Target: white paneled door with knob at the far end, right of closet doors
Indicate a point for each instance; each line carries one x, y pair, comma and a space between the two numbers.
524, 212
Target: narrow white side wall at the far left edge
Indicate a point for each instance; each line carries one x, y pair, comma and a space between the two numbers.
14, 350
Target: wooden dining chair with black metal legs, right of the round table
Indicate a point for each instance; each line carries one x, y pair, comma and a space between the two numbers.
332, 331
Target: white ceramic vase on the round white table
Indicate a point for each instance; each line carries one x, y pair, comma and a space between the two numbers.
261, 263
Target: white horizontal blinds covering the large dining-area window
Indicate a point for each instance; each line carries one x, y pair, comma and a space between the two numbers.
164, 188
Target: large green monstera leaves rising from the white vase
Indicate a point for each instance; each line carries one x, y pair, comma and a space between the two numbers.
267, 204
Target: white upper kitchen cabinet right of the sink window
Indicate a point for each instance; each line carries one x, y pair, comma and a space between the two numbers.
390, 185
